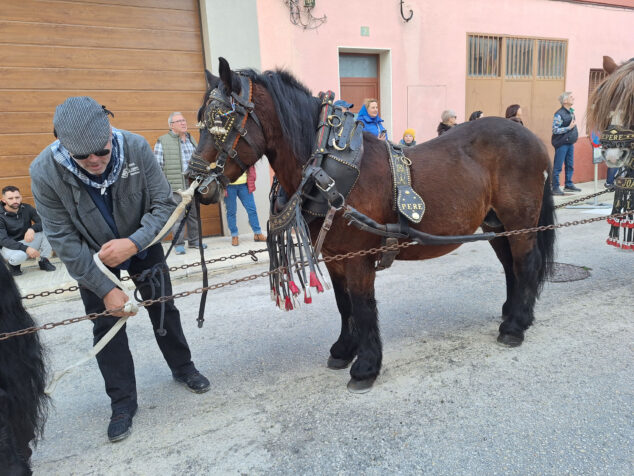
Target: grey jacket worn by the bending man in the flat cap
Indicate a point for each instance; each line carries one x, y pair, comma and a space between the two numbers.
142, 203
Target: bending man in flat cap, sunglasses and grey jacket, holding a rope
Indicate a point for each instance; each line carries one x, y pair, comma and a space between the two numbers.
99, 189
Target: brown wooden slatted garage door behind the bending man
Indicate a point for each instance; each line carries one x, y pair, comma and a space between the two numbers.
143, 59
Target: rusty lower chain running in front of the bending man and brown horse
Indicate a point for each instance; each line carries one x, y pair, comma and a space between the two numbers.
328, 259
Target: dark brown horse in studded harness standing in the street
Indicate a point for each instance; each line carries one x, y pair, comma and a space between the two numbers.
491, 173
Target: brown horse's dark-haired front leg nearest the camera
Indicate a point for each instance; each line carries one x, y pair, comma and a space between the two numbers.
360, 275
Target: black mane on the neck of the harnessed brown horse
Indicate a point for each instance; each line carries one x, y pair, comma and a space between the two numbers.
297, 109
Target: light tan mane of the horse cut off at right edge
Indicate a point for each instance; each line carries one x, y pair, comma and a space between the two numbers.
614, 93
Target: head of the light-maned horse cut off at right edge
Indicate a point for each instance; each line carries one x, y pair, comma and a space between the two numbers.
612, 111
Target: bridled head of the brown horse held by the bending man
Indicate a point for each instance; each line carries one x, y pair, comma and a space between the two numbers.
231, 138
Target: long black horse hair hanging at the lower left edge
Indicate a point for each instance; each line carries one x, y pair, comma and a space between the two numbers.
22, 369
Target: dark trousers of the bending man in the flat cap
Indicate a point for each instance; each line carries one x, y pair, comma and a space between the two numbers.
115, 360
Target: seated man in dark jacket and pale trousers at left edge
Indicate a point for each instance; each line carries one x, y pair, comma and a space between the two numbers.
21, 235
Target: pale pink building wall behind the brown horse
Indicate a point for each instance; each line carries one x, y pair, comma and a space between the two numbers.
429, 53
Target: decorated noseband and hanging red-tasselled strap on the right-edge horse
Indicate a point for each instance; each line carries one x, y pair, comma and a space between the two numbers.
622, 229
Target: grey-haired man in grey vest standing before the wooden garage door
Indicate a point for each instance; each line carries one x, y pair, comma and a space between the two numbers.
173, 151
